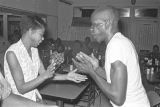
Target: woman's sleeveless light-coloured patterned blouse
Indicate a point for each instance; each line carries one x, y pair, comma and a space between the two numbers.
29, 66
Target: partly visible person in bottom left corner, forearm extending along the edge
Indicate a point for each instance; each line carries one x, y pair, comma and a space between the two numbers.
8, 99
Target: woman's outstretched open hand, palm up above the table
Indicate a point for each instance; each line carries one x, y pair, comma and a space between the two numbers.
75, 77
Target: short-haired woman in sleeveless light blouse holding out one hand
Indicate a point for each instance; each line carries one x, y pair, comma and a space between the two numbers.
23, 68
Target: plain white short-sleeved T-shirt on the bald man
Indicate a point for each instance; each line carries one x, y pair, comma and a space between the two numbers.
120, 48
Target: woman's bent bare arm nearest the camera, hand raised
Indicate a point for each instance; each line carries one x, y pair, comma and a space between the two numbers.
16, 71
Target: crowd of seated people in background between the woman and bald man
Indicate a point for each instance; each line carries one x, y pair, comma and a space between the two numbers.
62, 53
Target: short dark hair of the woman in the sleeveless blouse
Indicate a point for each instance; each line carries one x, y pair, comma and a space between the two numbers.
33, 22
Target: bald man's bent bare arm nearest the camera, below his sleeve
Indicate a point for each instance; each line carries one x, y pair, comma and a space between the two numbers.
116, 90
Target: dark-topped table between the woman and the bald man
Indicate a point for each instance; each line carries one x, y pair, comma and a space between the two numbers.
63, 90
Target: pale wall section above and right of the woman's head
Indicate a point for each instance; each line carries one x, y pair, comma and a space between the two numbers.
47, 7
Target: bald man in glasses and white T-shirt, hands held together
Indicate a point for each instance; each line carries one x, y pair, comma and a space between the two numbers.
121, 79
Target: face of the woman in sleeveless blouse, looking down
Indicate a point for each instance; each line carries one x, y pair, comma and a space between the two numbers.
37, 36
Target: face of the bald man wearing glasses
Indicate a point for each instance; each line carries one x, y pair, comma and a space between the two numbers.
99, 28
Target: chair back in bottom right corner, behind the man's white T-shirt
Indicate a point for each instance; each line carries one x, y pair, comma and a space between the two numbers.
154, 98
